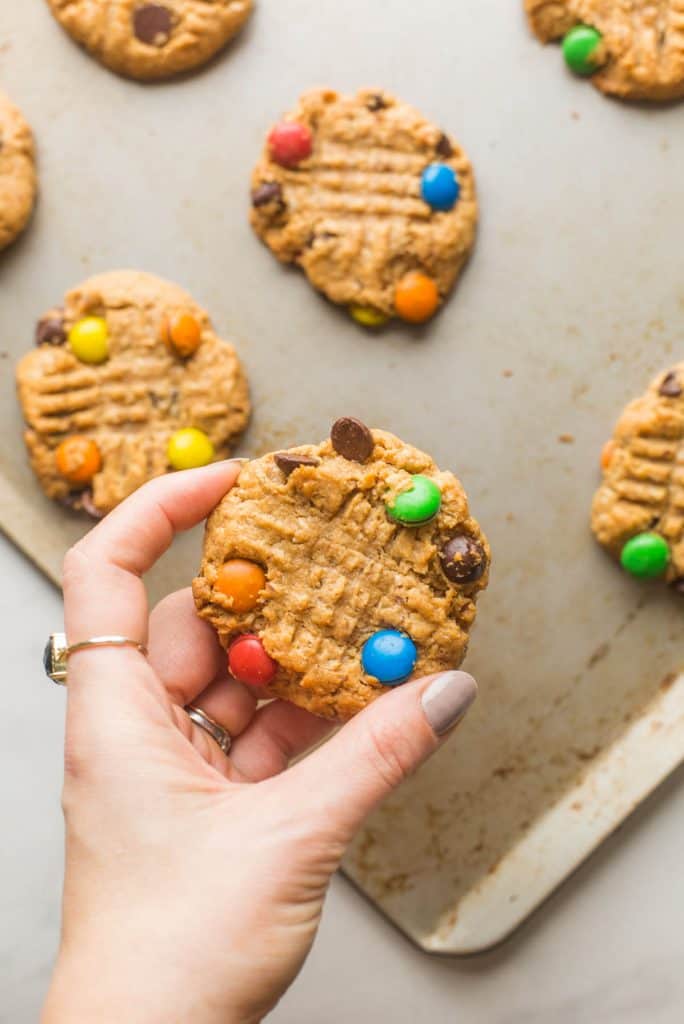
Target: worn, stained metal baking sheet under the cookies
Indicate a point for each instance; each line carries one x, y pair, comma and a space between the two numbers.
574, 300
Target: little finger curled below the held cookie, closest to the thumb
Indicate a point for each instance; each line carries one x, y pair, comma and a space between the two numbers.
278, 734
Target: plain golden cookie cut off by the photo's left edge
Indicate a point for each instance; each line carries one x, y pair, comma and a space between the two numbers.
18, 173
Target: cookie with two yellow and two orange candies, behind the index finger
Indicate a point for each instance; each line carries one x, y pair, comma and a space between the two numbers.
127, 381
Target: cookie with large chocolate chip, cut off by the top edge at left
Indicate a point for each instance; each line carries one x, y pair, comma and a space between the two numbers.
152, 40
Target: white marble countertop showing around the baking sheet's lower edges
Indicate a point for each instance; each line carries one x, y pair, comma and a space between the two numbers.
608, 949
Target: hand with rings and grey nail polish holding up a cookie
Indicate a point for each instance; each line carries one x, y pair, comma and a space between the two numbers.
195, 883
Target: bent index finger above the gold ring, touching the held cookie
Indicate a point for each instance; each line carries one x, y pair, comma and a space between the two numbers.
103, 586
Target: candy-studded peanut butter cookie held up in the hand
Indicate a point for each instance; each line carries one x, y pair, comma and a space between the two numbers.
333, 572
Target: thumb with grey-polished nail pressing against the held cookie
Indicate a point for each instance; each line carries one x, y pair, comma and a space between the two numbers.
343, 782
